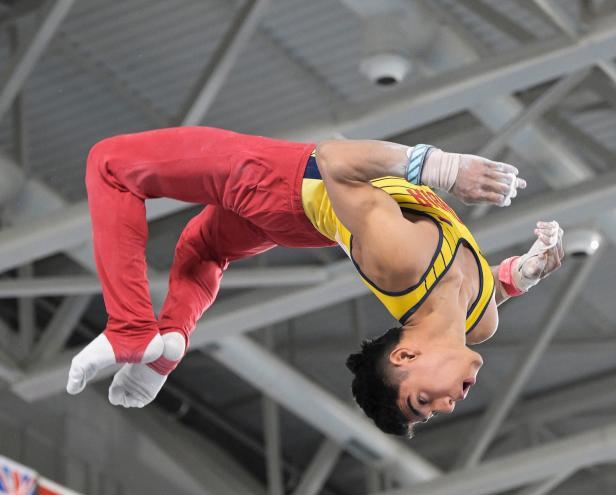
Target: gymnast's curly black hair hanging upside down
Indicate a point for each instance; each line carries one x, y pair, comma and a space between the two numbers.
372, 388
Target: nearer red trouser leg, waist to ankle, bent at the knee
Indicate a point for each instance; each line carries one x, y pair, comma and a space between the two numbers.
256, 178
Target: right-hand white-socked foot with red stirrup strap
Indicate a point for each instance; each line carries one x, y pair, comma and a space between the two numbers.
136, 385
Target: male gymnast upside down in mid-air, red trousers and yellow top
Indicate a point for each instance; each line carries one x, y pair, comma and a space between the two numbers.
372, 198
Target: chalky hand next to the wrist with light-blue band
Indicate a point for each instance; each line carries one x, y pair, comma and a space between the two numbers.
480, 180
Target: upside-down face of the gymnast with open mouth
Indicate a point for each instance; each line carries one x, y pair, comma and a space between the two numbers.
432, 380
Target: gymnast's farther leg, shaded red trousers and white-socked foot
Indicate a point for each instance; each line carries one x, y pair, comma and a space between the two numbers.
210, 241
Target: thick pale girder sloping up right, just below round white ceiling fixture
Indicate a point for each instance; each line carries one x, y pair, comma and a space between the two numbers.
461, 89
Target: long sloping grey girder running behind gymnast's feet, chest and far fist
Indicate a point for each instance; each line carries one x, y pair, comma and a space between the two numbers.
258, 309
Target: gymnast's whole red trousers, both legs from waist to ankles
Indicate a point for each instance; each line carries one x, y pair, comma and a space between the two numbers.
253, 188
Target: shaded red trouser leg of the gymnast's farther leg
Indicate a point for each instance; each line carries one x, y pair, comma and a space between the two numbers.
209, 242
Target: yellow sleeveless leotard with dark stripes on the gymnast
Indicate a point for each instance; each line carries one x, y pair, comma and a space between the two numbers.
420, 200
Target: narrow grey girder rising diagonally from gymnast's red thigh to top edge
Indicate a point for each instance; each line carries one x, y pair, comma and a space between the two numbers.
223, 61
